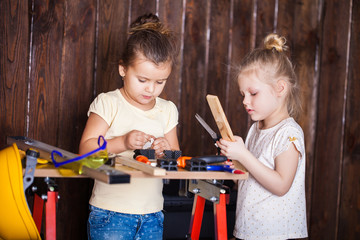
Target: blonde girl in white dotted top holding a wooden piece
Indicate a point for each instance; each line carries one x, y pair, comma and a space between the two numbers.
271, 203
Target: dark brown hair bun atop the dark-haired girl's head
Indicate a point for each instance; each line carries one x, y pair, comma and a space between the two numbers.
149, 22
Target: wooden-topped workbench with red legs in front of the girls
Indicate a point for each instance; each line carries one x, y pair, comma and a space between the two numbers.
203, 184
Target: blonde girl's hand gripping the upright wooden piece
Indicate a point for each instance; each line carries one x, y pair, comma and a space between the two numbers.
230, 149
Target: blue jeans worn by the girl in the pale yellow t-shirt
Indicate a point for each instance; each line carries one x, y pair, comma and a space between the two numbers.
104, 224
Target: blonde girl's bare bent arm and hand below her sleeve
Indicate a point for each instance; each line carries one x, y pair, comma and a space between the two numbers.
278, 181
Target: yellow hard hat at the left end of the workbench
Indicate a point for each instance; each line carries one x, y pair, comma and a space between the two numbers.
16, 220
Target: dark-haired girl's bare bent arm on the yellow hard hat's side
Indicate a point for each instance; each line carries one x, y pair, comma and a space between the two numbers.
97, 126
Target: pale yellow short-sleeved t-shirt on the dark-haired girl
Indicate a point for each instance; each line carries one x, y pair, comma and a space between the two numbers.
142, 195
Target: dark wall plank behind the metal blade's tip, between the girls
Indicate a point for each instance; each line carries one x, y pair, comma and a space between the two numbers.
194, 77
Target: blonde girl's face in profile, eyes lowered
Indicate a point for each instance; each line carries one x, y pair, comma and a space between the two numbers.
260, 99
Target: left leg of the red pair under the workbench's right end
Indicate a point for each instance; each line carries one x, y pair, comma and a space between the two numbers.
196, 217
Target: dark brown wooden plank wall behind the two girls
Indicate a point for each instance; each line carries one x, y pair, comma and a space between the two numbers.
57, 55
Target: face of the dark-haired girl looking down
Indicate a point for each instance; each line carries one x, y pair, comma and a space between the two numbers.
144, 81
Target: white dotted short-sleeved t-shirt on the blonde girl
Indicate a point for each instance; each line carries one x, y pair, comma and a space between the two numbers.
259, 213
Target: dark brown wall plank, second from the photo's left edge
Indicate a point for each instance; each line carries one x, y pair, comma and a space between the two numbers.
45, 74
